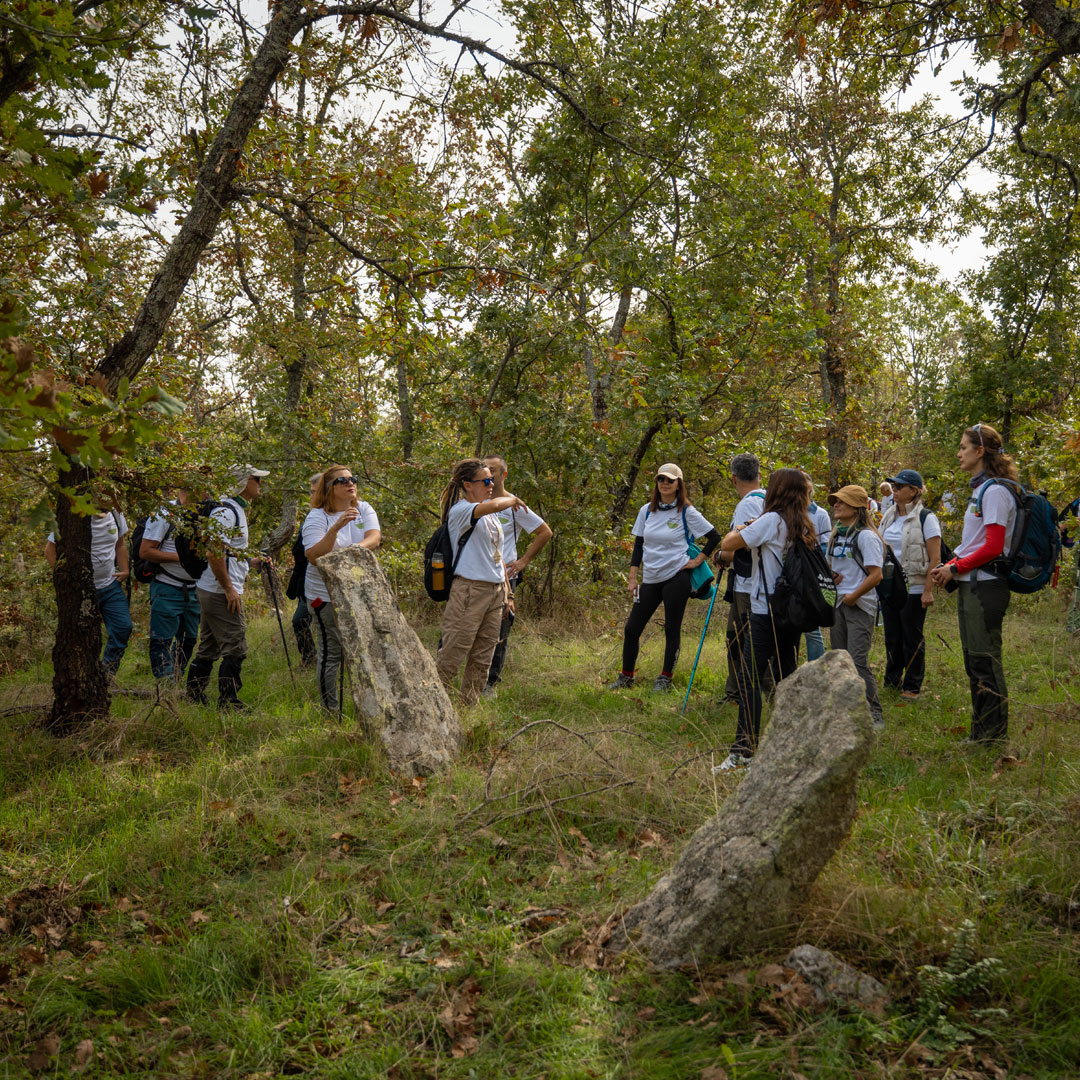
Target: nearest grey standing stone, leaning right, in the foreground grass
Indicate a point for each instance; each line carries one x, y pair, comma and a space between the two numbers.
742, 877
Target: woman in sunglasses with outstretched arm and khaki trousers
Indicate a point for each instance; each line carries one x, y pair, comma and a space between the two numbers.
480, 591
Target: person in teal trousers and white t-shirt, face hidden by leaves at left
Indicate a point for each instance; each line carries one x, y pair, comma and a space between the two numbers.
174, 606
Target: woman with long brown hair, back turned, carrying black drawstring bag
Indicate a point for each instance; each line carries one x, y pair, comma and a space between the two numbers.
786, 516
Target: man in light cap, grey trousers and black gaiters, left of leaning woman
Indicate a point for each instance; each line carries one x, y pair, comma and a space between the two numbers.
223, 629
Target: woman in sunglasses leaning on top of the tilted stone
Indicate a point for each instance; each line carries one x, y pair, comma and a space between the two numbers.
337, 520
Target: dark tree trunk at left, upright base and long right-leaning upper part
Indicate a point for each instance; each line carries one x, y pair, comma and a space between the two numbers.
80, 695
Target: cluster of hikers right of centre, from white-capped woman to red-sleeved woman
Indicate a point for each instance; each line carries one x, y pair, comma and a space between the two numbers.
767, 522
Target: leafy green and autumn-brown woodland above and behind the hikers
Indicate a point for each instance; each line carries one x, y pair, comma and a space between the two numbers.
589, 236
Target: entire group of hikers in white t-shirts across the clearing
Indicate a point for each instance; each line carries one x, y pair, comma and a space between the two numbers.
197, 622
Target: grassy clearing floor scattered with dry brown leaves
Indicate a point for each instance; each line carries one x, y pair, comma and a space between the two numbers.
190, 895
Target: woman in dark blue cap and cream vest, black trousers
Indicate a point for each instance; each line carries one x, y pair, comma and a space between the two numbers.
914, 535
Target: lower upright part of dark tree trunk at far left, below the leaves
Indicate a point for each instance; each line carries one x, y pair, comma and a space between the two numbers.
80, 686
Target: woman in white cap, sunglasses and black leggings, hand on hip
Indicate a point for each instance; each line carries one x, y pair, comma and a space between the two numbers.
660, 549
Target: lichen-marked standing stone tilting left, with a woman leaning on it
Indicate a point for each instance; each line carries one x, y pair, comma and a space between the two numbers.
400, 700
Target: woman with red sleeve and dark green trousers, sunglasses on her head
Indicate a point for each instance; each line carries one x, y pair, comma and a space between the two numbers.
983, 593
